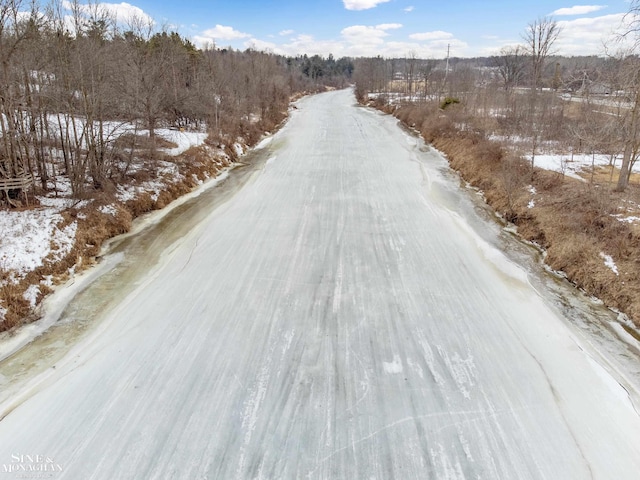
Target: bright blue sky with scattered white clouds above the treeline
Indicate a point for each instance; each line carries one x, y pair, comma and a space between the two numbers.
379, 27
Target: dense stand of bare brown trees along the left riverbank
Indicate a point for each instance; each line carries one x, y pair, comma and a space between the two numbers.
77, 87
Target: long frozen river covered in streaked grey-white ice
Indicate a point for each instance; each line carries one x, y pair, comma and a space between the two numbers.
337, 318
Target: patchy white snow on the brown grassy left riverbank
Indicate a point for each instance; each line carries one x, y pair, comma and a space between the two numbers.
29, 237
